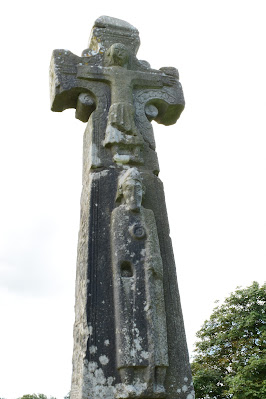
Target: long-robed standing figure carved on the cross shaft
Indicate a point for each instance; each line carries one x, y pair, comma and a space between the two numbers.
141, 334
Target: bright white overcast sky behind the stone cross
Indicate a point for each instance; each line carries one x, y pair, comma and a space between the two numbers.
212, 163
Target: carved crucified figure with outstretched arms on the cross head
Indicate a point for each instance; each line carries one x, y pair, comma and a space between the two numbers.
121, 132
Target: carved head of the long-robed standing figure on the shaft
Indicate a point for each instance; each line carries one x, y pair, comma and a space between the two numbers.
131, 189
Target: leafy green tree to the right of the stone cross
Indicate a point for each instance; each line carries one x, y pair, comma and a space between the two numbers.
230, 355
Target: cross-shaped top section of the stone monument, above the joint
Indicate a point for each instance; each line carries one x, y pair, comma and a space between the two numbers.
119, 84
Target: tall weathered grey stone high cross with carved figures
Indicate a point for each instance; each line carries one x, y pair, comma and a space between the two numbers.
129, 338
